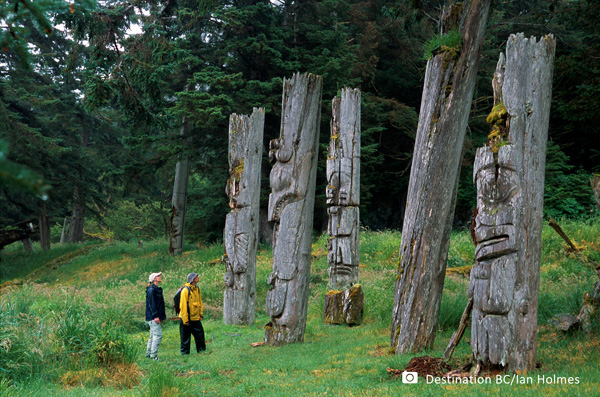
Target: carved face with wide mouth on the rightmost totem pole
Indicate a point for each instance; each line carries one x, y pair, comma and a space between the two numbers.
498, 204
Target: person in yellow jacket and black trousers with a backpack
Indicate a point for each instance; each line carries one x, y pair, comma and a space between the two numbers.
191, 314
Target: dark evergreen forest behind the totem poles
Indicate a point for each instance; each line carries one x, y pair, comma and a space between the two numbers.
93, 96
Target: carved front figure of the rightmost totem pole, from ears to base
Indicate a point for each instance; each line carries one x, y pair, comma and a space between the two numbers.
496, 232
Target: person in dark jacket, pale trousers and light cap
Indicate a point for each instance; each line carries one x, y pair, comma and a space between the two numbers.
155, 314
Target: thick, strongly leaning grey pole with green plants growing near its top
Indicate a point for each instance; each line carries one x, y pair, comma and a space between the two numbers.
445, 105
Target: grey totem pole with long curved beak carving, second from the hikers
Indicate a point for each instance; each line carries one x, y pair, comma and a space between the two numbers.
291, 206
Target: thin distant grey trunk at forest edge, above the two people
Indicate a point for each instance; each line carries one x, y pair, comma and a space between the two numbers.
182, 170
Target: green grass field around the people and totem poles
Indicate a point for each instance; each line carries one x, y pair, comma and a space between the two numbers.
72, 324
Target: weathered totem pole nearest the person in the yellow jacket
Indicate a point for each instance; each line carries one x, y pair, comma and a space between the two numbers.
242, 223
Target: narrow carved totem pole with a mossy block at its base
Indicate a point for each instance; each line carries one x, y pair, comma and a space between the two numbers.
344, 302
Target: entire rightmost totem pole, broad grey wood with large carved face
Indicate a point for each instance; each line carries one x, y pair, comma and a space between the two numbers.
509, 176
